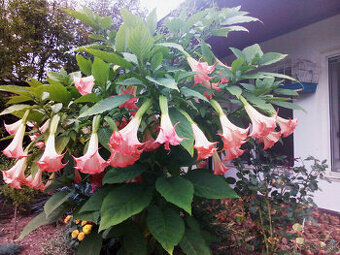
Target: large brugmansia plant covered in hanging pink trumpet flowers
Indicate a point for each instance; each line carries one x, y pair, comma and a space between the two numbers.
150, 104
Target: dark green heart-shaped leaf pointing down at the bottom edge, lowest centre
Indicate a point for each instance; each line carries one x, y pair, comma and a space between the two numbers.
166, 226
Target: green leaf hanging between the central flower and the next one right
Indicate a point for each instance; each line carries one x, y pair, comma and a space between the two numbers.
183, 129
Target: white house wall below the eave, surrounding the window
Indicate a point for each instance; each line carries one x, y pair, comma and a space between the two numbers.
316, 42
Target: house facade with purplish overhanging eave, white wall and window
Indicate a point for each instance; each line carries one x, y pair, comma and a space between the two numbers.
309, 31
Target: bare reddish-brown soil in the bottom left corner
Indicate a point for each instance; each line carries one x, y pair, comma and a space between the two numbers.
31, 244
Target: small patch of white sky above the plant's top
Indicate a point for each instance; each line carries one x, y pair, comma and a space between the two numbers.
163, 6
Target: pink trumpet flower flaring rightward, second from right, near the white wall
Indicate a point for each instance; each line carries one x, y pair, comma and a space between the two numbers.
261, 125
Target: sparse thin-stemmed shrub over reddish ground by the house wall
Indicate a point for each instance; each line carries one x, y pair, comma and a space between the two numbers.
274, 198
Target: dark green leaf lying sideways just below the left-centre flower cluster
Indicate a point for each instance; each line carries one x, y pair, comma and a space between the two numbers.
120, 175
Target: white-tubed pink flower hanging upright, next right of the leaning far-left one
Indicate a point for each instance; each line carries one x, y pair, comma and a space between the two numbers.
50, 161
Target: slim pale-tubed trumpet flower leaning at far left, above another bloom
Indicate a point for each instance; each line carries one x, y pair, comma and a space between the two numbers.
14, 149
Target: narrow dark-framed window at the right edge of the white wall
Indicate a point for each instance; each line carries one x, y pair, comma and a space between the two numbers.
334, 104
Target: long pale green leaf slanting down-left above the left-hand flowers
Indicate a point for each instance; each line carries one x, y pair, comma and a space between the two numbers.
106, 104
